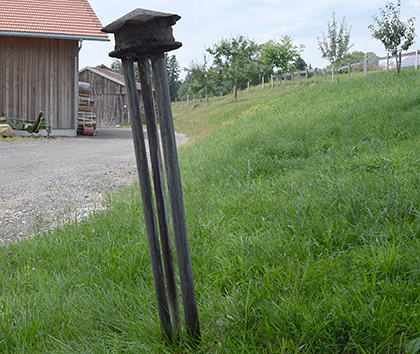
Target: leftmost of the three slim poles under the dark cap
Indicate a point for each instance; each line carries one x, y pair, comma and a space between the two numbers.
147, 196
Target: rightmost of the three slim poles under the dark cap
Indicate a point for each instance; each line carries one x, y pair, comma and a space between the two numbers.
175, 195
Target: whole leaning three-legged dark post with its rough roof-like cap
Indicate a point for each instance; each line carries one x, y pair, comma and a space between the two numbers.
143, 36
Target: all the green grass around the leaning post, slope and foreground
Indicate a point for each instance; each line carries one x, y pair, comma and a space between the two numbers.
303, 216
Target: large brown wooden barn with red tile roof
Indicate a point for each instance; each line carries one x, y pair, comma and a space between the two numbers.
40, 42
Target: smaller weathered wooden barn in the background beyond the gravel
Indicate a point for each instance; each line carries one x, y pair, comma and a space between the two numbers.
109, 94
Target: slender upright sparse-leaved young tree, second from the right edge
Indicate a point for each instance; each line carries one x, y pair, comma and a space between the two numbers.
336, 44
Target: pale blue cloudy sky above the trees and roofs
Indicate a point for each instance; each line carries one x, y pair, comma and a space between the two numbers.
204, 23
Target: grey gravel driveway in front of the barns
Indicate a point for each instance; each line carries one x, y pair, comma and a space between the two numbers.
46, 181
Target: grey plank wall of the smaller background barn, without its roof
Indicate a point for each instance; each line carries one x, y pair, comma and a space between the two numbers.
110, 100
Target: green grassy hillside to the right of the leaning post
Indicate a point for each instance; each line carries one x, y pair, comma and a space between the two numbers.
305, 214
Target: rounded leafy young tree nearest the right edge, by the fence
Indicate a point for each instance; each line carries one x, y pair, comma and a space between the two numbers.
394, 34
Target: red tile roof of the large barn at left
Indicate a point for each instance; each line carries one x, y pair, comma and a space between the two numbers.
50, 18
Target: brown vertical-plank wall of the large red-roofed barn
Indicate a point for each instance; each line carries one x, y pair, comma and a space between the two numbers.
37, 74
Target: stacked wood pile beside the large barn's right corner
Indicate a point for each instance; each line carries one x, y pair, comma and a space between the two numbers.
86, 116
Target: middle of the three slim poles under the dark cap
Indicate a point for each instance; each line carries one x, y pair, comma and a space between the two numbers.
160, 192
